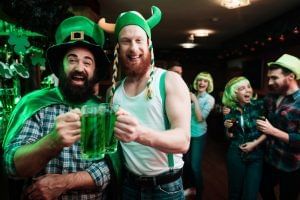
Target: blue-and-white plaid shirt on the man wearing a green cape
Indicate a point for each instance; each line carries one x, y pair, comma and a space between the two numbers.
68, 161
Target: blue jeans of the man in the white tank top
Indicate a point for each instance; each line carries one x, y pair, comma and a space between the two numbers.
169, 191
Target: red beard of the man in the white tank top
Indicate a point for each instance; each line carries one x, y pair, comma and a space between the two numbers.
133, 70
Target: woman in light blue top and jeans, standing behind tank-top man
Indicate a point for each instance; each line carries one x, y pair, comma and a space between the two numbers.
202, 104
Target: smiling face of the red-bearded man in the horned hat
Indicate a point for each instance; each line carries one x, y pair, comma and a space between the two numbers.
134, 54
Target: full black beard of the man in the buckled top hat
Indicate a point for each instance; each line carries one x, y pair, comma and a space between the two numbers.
76, 93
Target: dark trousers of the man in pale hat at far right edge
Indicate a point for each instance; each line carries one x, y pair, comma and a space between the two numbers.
289, 183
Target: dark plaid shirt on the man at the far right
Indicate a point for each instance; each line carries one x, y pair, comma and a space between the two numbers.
286, 117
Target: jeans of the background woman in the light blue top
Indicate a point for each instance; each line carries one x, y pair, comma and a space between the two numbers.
193, 165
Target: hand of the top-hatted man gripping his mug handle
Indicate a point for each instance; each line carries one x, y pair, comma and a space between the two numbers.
67, 128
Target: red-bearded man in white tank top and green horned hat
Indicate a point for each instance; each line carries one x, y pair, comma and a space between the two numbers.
150, 98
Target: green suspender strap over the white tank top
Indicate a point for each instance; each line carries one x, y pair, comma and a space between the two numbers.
162, 89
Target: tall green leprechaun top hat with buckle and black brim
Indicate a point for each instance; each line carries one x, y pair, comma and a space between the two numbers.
78, 31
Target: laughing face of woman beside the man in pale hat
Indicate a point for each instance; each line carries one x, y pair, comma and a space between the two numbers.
243, 92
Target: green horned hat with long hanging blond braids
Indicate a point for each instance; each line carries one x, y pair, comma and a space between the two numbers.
132, 18
